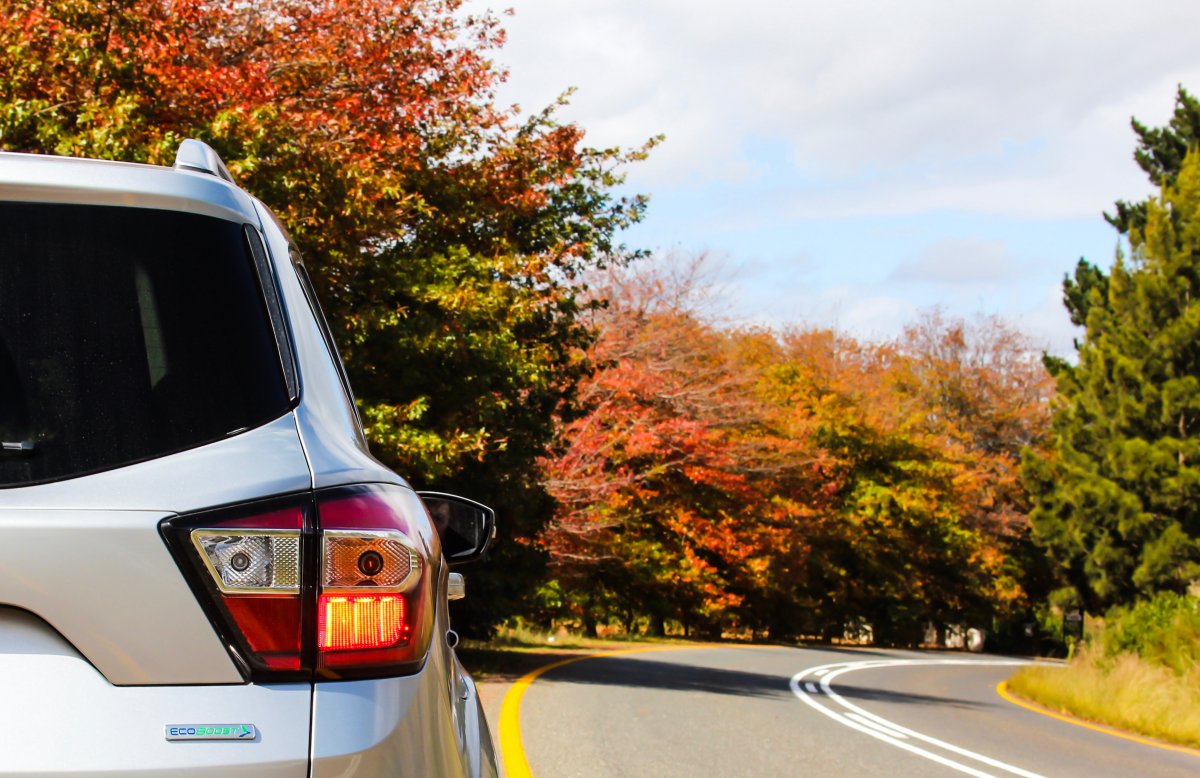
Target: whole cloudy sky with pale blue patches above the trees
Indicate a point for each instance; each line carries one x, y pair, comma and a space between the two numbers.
851, 164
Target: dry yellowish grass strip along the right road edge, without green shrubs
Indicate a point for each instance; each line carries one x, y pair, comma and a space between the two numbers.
1126, 692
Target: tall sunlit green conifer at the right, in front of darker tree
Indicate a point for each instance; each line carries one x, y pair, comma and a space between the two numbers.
1117, 501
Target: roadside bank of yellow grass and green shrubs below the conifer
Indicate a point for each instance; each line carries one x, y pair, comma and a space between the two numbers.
1142, 674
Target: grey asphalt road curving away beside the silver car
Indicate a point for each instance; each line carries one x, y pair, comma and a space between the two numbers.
760, 711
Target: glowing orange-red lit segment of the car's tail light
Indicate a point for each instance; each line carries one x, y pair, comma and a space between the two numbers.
346, 623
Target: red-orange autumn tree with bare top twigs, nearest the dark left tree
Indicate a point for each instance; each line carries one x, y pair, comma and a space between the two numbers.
663, 483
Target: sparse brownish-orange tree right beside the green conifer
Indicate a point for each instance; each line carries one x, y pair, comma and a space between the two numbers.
985, 394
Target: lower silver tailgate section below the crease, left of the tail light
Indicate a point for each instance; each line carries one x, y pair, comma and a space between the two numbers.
105, 580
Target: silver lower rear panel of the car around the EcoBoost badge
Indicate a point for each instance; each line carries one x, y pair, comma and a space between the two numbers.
61, 717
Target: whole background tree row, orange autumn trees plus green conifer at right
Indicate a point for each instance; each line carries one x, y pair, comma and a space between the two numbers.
803, 482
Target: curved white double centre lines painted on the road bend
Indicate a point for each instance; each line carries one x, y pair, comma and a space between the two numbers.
889, 732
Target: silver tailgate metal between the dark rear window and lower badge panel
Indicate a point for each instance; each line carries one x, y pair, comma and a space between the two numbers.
97, 537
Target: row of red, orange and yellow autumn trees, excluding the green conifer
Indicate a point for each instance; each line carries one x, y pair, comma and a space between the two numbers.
794, 483
